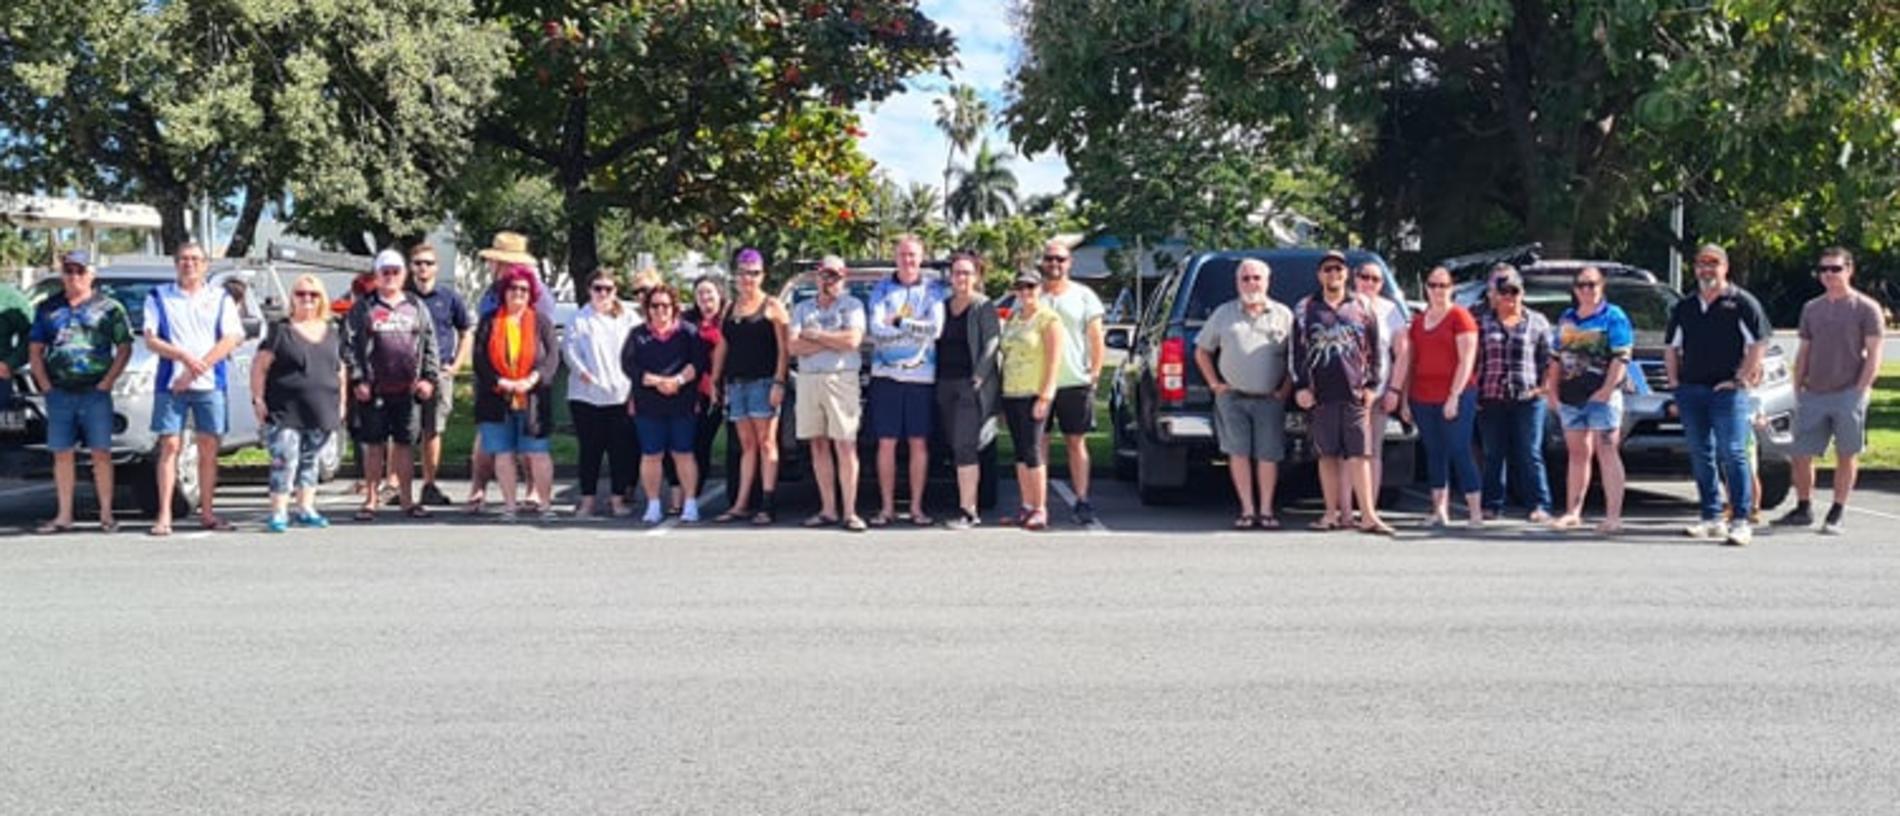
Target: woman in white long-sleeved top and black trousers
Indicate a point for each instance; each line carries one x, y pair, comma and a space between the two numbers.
599, 391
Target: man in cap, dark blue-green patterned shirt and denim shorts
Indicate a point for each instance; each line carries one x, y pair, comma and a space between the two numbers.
81, 345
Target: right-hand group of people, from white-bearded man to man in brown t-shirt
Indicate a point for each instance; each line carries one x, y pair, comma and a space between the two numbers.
1500, 376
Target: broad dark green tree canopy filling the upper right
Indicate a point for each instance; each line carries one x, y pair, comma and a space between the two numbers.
1557, 121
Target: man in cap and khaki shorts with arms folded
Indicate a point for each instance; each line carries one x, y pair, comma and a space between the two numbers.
826, 336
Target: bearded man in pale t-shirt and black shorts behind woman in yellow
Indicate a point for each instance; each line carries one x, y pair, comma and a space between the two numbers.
1078, 370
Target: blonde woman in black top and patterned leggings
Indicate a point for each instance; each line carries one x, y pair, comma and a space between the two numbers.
297, 385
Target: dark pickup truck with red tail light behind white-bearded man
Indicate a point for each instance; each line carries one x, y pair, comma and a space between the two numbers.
1162, 412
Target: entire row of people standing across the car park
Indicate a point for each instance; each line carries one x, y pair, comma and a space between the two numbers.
651, 387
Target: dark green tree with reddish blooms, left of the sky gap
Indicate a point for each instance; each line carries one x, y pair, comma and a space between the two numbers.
641, 106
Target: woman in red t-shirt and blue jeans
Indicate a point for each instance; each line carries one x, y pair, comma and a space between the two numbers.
1434, 387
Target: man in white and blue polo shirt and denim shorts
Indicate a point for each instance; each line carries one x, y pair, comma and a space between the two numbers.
193, 328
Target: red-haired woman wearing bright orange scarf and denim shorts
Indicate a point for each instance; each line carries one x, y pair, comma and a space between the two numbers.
516, 362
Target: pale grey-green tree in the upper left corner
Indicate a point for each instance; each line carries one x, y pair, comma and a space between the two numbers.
354, 109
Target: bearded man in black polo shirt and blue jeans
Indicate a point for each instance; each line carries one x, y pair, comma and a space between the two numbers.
1717, 341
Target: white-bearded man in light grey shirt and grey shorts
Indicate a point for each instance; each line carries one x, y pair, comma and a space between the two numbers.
1242, 355
